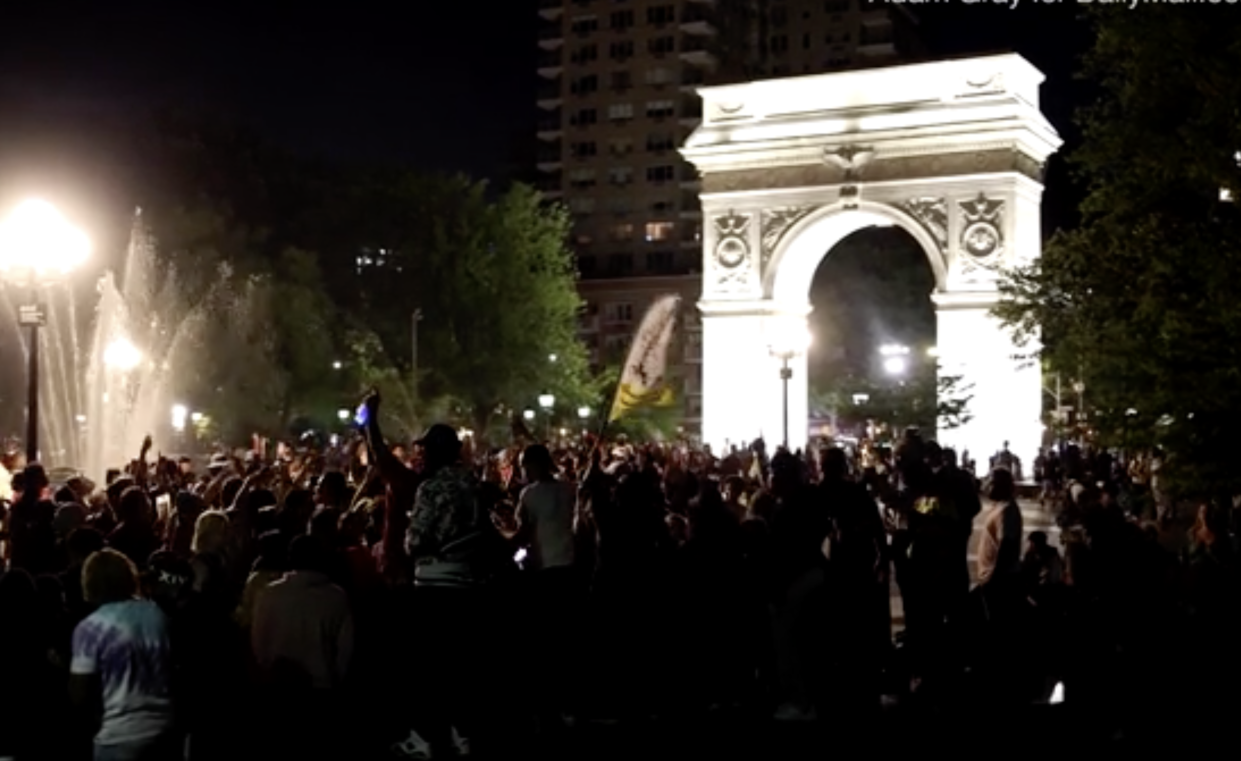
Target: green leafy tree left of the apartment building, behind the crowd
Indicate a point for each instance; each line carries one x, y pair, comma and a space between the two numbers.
495, 284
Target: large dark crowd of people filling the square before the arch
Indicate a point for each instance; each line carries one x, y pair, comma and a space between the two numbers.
434, 599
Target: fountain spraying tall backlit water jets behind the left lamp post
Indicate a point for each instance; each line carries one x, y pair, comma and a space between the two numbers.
101, 398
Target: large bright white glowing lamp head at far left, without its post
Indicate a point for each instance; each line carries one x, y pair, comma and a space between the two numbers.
37, 239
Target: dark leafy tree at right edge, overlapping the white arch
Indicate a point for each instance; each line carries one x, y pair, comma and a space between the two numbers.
1140, 302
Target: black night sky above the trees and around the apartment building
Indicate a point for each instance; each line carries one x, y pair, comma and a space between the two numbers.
446, 88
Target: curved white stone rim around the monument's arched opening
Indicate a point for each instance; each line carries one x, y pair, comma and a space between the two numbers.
797, 246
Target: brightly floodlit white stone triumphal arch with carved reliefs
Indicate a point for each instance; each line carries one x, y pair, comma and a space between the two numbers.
951, 152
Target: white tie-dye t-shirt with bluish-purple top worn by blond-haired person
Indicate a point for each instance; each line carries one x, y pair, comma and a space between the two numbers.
127, 646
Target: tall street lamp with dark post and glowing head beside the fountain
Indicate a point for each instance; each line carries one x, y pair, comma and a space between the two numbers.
37, 243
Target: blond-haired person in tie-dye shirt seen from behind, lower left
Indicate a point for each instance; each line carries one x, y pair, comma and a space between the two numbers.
122, 665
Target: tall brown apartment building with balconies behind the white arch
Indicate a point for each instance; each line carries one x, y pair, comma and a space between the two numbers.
617, 97
